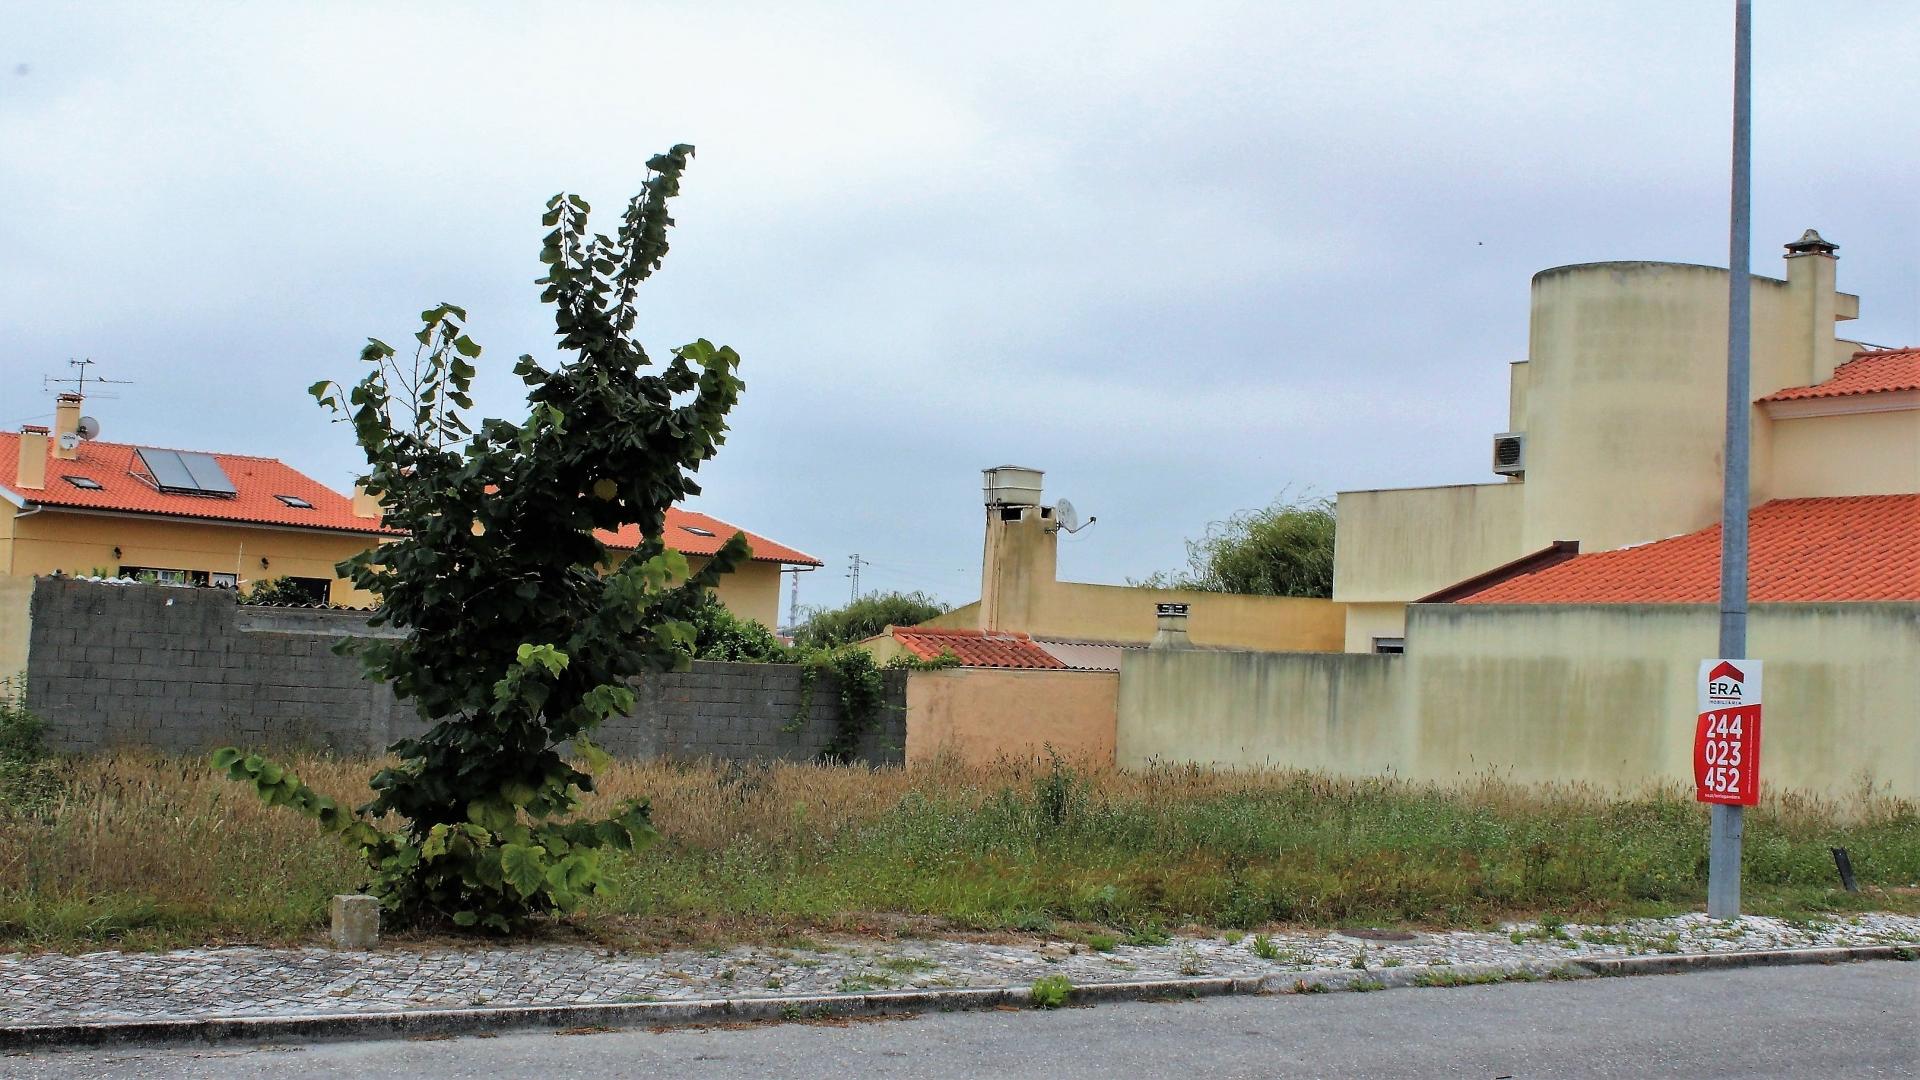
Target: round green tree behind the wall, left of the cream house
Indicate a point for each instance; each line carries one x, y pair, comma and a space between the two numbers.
1280, 551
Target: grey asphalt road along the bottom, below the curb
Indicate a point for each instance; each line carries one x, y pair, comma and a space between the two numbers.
1808, 1021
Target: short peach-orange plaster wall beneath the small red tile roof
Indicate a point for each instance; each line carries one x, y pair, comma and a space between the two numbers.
982, 716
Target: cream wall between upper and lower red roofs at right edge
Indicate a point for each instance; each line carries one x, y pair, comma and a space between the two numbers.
1856, 454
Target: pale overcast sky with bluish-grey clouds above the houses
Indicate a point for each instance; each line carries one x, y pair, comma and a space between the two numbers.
1182, 257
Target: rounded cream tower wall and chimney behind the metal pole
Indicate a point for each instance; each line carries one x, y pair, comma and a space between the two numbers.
1627, 393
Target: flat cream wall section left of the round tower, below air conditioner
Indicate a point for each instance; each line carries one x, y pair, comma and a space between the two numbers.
1403, 545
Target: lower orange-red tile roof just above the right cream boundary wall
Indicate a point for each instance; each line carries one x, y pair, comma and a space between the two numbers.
1800, 551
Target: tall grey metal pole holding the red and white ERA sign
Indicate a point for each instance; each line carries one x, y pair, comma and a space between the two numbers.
1727, 827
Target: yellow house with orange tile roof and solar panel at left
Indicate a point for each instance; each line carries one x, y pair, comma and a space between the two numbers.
76, 504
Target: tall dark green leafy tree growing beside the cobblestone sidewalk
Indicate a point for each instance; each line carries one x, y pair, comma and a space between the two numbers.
521, 627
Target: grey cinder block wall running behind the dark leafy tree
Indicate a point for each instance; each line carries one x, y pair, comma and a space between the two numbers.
189, 670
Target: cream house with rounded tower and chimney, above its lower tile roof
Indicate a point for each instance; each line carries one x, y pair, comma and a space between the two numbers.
1616, 428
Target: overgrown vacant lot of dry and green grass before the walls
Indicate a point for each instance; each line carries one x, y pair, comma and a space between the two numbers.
145, 852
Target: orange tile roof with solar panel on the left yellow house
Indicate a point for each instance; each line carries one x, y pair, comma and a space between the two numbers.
260, 479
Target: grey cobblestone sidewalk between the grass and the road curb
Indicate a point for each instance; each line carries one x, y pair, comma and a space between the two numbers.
308, 983
